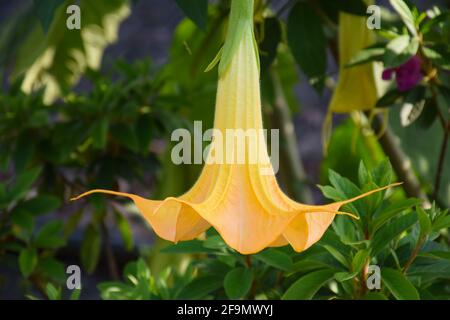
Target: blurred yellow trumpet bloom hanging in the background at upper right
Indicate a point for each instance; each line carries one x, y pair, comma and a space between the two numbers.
356, 88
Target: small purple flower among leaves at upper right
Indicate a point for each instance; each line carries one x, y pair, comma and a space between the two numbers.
407, 76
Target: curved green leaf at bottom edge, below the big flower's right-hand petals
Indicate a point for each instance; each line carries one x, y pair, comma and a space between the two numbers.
306, 287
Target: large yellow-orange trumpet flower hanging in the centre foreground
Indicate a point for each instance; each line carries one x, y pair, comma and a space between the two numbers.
243, 202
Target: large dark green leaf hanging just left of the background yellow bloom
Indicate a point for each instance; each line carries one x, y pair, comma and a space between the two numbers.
307, 42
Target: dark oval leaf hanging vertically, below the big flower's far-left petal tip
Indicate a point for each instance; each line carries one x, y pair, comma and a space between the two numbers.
90, 248
